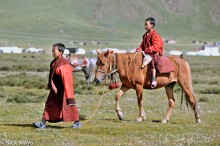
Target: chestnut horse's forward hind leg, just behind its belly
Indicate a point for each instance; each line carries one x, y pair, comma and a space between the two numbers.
171, 100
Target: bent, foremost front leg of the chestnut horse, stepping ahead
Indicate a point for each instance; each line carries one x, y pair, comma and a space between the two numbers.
117, 99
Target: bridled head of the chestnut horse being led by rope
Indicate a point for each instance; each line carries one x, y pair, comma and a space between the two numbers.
104, 65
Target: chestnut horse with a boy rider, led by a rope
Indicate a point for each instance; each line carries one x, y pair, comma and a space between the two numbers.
128, 66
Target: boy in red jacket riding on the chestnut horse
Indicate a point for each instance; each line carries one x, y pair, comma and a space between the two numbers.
152, 45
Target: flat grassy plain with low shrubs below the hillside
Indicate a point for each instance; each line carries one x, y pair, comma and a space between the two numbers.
22, 98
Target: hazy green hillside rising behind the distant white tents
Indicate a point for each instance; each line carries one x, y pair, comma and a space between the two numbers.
43, 22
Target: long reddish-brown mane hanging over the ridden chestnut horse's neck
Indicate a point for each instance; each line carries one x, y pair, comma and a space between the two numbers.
128, 63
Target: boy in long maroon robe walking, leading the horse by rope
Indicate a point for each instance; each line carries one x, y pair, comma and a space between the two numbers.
60, 104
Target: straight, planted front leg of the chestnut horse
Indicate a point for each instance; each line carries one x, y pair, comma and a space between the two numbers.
139, 92
